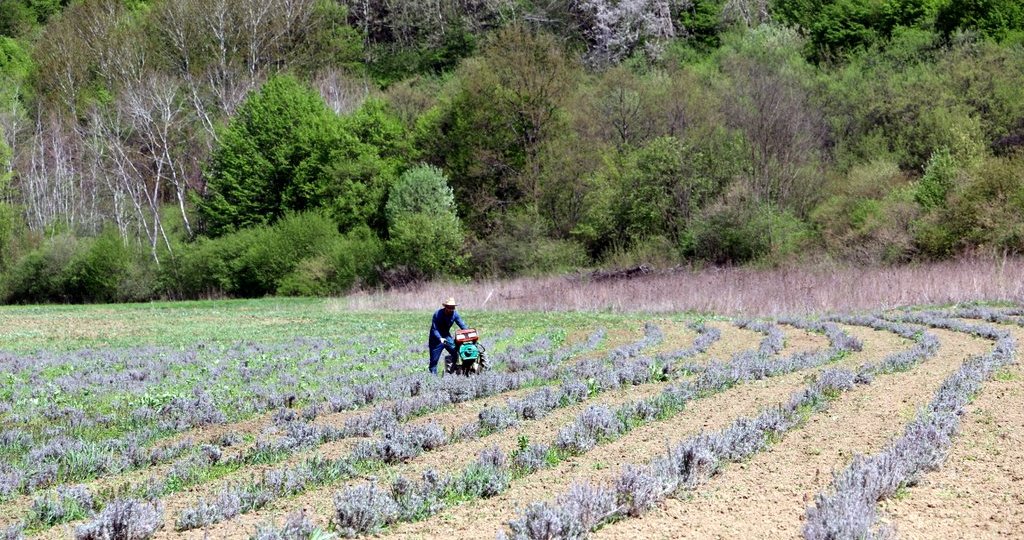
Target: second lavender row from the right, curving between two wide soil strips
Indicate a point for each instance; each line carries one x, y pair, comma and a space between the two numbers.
585, 508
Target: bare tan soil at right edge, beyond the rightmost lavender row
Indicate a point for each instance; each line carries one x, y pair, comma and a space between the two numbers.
979, 491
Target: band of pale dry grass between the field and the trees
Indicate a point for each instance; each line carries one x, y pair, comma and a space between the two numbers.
728, 292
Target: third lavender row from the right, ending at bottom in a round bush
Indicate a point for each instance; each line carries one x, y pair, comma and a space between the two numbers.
365, 510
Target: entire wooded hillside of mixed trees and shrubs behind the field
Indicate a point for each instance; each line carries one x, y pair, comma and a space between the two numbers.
244, 148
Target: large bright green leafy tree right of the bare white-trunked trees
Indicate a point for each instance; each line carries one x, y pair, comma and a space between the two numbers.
286, 152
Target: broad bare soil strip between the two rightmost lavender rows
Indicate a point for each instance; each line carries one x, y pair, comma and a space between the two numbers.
767, 496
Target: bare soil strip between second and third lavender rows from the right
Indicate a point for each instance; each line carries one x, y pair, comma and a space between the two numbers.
485, 519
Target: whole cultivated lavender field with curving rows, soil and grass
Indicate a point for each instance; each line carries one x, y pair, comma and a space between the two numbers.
287, 420
